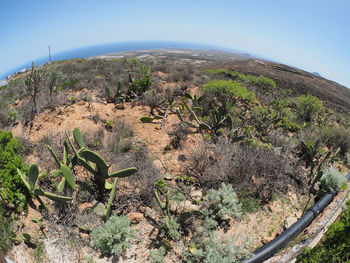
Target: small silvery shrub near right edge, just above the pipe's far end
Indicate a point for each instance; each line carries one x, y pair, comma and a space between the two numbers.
332, 180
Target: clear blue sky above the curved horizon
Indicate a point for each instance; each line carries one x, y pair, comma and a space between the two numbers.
310, 34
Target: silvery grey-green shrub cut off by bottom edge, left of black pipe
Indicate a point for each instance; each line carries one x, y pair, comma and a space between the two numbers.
213, 250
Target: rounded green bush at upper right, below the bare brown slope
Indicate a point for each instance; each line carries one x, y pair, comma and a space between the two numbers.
308, 107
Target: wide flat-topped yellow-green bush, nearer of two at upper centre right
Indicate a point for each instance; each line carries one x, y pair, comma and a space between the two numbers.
228, 89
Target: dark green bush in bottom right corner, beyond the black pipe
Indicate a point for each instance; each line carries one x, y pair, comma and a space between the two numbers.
335, 247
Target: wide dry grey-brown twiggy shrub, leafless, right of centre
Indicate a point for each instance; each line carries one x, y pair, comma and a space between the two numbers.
260, 172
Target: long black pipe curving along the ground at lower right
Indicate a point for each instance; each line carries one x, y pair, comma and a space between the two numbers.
272, 247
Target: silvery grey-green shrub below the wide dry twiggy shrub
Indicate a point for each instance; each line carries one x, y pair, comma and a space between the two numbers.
221, 204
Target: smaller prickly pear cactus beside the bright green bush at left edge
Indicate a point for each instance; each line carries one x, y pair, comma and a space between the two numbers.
30, 182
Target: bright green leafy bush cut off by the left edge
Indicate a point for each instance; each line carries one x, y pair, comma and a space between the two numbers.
11, 186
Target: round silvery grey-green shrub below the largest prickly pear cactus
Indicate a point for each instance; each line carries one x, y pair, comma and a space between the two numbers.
111, 238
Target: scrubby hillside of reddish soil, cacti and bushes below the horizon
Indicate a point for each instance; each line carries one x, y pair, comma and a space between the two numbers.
208, 146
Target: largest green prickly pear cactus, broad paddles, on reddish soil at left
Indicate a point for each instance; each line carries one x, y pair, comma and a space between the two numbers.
94, 163
